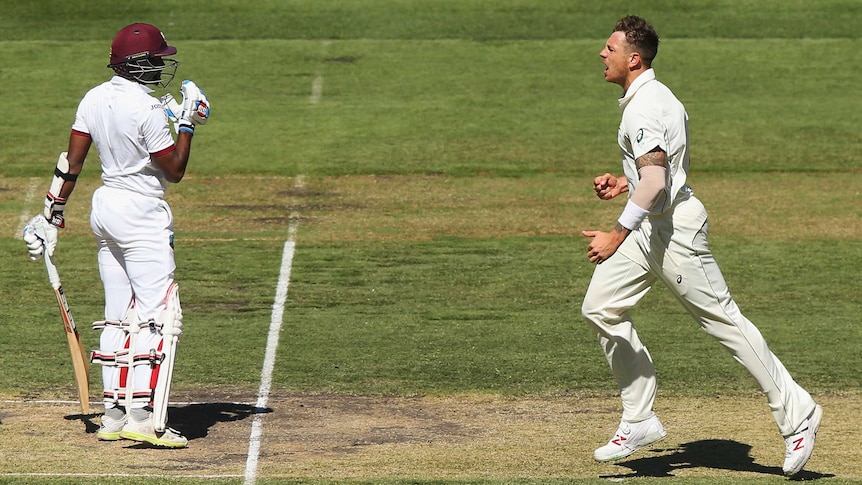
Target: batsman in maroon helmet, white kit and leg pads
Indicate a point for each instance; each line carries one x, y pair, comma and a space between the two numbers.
133, 226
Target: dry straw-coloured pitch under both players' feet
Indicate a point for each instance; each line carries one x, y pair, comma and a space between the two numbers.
458, 437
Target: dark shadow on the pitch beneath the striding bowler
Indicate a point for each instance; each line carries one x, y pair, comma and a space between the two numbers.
715, 454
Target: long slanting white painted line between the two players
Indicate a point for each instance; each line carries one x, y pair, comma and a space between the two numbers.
254, 440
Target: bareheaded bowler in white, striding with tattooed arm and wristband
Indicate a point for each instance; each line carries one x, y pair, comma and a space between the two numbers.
661, 235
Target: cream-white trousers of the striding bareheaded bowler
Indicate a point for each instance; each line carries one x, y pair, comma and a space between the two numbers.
673, 249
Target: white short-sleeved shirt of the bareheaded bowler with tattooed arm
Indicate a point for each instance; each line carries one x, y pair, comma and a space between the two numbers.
654, 117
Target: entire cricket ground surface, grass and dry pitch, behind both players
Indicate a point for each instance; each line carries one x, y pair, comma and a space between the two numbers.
432, 163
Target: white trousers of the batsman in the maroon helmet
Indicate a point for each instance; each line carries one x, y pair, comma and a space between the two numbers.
134, 234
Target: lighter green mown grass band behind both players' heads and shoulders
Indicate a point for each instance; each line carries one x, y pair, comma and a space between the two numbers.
506, 108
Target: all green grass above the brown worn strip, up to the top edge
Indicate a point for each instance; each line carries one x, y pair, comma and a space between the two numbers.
457, 104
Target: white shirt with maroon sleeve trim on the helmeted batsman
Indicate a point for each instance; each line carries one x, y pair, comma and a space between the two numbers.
127, 125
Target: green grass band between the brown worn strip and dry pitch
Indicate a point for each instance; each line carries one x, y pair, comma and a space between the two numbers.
445, 316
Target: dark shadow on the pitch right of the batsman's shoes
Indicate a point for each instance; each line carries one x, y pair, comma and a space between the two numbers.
195, 420
